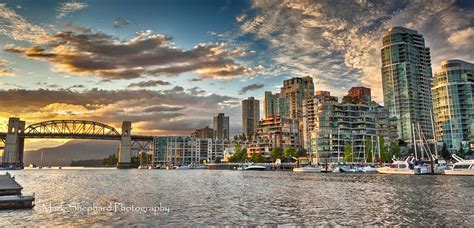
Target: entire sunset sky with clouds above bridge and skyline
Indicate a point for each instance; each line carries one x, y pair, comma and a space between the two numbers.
170, 65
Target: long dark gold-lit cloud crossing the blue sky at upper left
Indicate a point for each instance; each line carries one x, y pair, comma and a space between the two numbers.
98, 54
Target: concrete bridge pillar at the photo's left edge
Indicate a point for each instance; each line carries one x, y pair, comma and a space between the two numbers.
14, 145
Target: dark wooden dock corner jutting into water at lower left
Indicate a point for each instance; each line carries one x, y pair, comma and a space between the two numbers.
10, 194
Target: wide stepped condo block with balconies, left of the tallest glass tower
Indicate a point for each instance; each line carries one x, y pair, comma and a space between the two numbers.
330, 126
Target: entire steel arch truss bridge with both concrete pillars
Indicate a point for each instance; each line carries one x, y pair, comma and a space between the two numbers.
14, 139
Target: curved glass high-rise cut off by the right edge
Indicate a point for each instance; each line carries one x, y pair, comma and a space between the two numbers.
453, 104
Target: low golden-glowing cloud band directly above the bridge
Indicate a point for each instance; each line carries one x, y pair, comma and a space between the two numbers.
173, 112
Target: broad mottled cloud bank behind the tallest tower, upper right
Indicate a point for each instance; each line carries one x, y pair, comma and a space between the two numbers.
339, 42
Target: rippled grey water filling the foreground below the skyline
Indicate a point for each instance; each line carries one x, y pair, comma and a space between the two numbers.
184, 197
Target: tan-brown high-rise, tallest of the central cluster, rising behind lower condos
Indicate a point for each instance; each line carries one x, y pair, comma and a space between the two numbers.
292, 94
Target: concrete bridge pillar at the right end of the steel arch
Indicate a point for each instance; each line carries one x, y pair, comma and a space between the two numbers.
124, 157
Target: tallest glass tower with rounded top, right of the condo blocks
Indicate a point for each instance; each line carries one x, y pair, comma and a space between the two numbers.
406, 79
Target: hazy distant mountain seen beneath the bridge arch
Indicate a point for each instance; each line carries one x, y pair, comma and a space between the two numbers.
73, 150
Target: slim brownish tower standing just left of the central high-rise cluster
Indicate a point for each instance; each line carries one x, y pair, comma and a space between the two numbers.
250, 115
